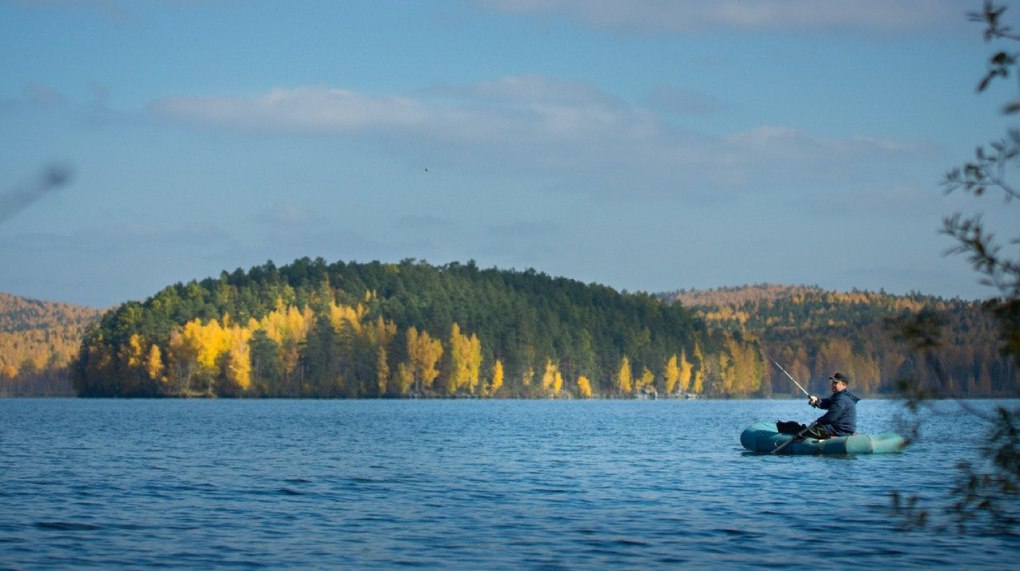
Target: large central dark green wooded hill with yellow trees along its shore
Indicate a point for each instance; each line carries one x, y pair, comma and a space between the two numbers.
314, 329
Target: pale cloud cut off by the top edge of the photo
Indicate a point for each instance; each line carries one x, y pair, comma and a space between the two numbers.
670, 17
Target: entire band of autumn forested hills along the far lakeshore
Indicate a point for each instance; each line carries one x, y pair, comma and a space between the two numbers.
414, 330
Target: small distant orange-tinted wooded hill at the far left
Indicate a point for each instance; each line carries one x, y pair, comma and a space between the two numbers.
38, 341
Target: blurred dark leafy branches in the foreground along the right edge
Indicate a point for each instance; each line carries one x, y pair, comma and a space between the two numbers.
987, 492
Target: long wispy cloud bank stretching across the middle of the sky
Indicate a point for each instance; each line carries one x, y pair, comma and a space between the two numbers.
556, 131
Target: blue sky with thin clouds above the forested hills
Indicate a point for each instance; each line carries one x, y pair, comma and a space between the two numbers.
646, 145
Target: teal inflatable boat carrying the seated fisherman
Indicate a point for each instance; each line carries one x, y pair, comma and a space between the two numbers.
763, 438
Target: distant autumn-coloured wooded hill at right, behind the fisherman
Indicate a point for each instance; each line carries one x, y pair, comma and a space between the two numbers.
814, 333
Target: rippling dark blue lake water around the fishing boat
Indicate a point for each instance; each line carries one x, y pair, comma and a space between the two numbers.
463, 485
